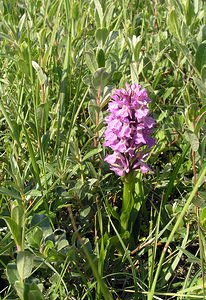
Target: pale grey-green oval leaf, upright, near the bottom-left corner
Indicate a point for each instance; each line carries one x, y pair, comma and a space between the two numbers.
24, 263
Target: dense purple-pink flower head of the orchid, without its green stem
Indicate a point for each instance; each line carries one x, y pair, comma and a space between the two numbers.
128, 131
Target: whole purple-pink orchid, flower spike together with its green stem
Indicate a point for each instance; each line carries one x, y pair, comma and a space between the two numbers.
128, 134
